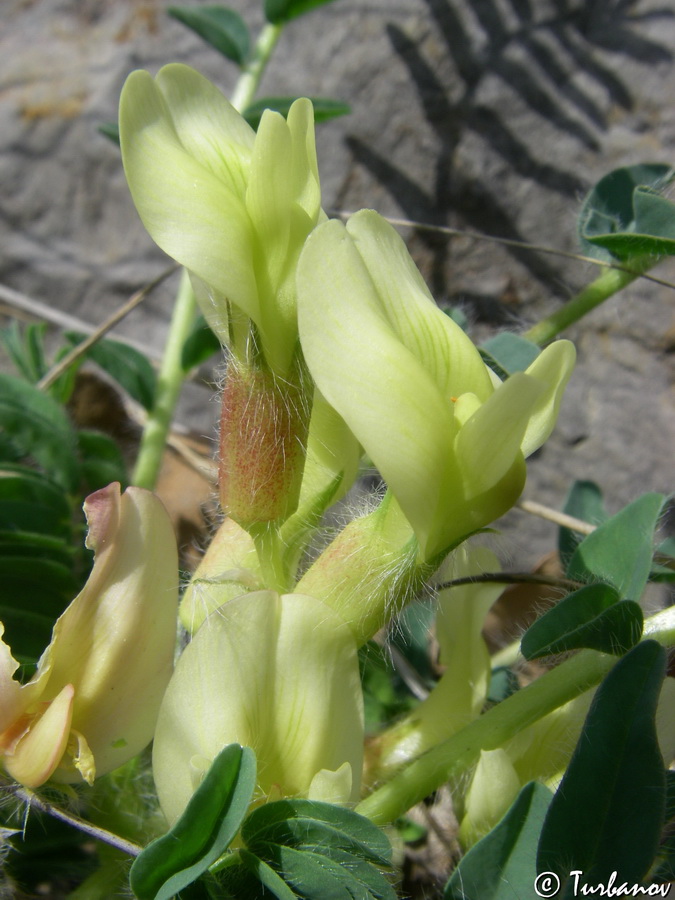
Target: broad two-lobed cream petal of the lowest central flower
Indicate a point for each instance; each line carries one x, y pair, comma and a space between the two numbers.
262, 671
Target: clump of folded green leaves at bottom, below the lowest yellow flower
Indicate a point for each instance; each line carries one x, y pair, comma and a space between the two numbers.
292, 848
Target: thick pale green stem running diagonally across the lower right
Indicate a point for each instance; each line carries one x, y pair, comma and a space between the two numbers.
460, 753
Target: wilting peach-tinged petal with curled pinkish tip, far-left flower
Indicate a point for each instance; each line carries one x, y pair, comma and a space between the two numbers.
116, 640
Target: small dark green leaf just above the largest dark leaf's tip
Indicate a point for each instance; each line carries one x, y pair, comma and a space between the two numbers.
593, 617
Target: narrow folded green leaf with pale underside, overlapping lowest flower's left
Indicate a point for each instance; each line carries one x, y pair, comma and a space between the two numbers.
204, 831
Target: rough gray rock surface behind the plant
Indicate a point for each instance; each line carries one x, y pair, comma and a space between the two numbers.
490, 117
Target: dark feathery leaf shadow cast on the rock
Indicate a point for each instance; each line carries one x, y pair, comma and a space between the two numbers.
556, 59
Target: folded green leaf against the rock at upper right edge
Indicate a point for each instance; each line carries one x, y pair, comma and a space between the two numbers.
626, 214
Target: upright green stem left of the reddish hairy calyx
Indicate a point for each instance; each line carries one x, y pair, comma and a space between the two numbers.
169, 383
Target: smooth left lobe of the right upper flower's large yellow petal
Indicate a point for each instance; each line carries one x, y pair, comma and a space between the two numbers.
378, 386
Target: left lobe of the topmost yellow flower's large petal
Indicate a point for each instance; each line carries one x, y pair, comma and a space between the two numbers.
195, 215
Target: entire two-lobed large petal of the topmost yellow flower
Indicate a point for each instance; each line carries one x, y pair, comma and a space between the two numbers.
192, 208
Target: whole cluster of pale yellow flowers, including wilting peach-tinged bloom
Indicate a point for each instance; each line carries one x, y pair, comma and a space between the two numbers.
336, 350
